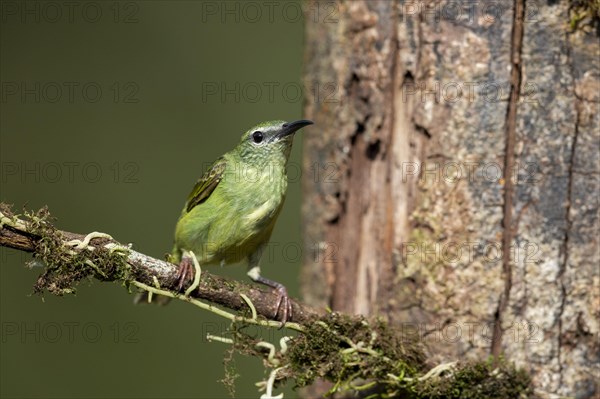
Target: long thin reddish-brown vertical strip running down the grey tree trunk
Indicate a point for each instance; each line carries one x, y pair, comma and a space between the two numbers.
509, 167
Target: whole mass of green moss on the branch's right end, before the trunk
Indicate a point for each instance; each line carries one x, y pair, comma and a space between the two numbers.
372, 357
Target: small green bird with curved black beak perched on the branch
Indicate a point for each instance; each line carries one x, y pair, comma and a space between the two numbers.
230, 214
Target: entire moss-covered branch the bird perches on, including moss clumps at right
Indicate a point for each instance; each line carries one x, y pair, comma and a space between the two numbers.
368, 357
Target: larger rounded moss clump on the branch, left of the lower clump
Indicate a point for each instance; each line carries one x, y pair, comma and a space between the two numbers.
345, 349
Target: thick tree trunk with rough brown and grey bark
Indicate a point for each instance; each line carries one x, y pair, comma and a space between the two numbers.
455, 178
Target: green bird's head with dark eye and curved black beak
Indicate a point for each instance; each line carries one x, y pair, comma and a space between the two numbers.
269, 141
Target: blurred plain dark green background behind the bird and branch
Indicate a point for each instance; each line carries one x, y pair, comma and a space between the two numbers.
110, 111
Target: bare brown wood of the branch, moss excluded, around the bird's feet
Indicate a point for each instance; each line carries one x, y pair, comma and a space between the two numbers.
15, 234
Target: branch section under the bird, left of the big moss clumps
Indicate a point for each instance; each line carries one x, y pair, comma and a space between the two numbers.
108, 260
